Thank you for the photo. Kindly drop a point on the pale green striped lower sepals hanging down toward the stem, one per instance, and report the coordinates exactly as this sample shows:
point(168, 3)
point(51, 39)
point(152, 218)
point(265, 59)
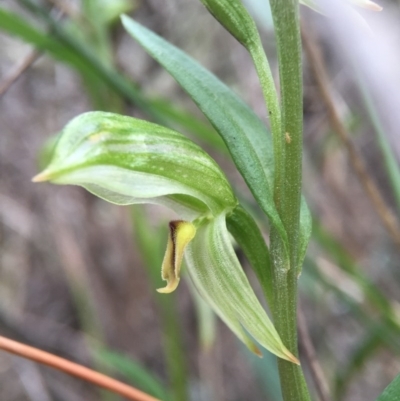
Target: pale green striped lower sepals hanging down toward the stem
point(220, 280)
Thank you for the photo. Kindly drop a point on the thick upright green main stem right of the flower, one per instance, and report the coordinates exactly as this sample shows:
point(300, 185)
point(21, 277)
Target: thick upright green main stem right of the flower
point(287, 30)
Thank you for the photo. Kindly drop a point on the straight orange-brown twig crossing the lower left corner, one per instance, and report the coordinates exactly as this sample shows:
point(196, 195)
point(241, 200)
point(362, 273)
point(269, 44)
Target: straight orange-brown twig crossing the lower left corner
point(74, 369)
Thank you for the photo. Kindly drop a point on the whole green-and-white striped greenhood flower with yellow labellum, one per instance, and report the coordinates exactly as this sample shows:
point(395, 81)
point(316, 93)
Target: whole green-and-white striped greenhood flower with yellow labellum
point(125, 161)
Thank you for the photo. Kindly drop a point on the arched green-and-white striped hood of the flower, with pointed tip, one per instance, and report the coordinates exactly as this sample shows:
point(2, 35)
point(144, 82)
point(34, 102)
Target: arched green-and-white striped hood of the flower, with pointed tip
point(125, 160)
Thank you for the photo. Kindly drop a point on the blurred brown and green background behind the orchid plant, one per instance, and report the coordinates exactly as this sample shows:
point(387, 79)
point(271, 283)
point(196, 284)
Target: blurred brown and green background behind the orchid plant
point(78, 275)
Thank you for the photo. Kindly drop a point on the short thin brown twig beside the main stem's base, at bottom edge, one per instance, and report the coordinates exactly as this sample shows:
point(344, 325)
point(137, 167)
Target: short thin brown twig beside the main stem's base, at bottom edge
point(316, 371)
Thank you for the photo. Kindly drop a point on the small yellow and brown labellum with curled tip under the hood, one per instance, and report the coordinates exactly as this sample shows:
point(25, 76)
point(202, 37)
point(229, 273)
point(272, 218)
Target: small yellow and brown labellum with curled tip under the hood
point(180, 234)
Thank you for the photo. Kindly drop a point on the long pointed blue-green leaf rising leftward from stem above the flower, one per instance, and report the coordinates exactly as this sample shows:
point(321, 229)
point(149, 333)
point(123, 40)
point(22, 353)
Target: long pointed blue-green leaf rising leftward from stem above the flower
point(242, 131)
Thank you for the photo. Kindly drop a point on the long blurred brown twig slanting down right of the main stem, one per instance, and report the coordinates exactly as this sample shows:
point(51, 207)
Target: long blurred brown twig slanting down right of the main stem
point(321, 77)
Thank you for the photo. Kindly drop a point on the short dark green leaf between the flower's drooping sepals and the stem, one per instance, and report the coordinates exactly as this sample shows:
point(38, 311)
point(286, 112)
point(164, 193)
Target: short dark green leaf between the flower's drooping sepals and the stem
point(247, 234)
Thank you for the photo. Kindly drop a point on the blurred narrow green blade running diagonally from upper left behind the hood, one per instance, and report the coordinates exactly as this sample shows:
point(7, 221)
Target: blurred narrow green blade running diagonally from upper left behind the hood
point(63, 47)
